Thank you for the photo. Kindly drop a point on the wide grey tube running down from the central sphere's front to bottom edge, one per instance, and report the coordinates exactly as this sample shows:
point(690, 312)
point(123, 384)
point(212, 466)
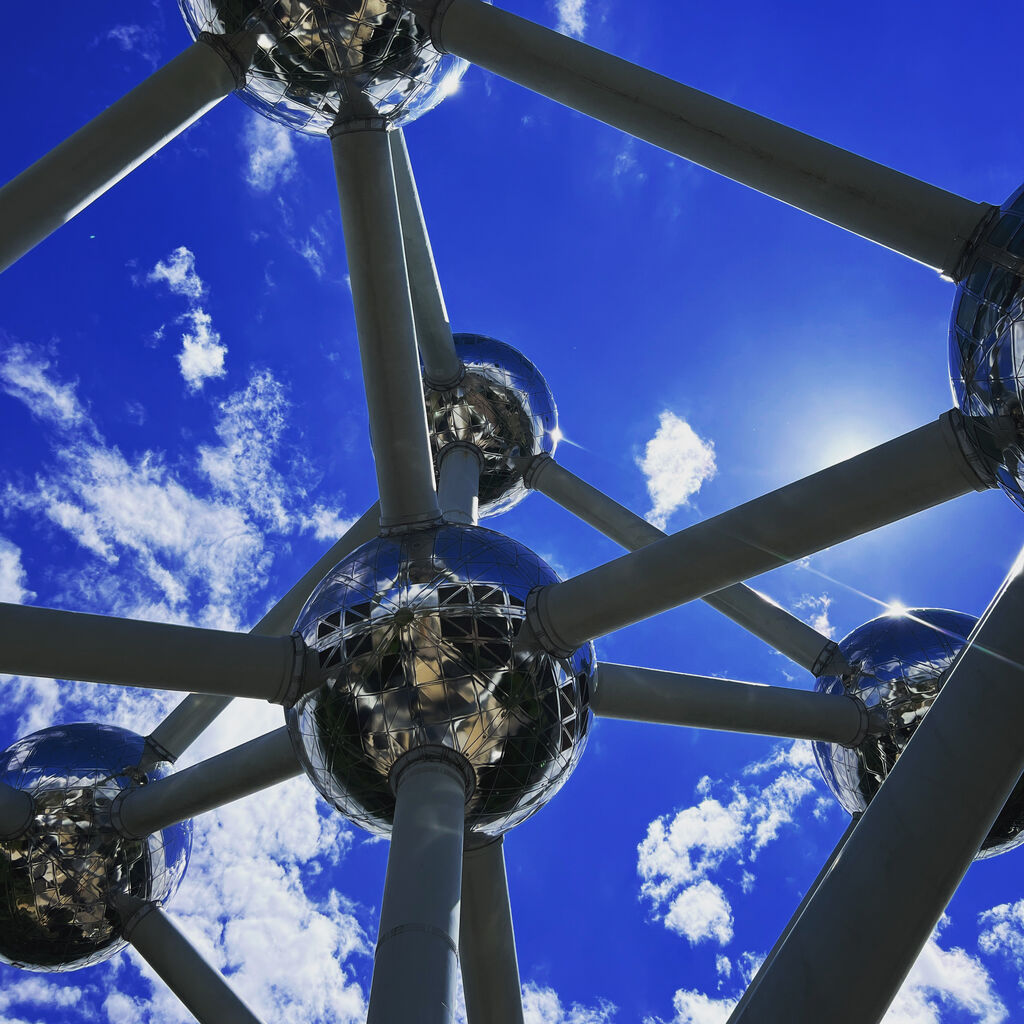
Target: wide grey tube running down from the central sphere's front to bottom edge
point(417, 961)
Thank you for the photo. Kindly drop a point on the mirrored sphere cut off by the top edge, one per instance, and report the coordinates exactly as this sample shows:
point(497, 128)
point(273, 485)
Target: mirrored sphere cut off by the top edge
point(320, 61)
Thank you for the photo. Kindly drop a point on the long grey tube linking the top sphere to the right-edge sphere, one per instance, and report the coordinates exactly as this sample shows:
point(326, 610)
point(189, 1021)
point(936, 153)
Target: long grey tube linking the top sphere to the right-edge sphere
point(912, 218)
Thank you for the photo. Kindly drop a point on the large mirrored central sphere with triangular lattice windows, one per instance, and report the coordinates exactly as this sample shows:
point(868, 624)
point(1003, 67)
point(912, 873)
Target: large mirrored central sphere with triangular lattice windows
point(415, 634)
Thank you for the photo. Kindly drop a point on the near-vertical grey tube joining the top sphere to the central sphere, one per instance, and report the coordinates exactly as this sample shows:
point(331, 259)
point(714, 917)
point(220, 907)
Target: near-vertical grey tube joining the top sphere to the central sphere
point(385, 324)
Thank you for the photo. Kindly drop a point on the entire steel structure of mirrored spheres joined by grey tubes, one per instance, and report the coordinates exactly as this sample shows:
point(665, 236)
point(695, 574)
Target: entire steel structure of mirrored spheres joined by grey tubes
point(440, 680)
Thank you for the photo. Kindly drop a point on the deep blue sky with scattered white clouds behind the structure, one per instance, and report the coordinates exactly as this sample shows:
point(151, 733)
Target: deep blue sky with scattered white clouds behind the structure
point(661, 303)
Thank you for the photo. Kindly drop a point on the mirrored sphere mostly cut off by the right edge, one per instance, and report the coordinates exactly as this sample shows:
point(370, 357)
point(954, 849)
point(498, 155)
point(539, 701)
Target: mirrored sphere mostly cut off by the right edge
point(987, 348)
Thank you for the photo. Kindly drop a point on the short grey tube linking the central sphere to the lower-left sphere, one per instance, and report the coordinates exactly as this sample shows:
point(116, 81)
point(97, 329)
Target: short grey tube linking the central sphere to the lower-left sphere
point(248, 769)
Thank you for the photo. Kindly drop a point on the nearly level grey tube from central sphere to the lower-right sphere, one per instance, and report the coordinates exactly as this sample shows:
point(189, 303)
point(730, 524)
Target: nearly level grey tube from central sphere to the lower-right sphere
point(708, 703)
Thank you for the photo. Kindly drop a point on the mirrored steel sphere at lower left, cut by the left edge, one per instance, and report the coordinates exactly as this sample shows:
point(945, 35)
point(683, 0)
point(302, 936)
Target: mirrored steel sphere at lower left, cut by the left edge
point(62, 880)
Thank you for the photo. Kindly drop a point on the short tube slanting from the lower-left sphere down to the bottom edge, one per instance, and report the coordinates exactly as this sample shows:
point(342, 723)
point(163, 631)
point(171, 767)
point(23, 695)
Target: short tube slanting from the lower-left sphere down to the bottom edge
point(198, 986)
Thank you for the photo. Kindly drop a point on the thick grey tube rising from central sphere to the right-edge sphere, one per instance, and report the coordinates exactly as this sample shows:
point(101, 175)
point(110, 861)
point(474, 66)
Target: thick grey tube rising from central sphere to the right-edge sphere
point(913, 473)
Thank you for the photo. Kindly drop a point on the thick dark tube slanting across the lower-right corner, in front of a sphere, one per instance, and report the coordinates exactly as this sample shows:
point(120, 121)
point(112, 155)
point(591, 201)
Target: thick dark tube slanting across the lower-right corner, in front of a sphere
point(959, 770)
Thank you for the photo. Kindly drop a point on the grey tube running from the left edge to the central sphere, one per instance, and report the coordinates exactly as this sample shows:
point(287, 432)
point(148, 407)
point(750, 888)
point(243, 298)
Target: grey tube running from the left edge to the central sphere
point(131, 653)
